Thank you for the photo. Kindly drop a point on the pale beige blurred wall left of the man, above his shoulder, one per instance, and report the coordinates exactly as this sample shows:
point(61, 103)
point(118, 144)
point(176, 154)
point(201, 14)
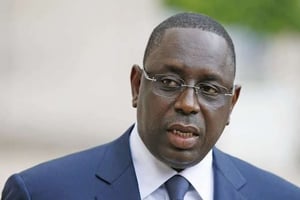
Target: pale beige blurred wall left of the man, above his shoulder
point(64, 74)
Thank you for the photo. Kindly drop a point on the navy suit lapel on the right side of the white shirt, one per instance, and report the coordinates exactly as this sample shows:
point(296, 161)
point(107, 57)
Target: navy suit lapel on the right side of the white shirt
point(227, 178)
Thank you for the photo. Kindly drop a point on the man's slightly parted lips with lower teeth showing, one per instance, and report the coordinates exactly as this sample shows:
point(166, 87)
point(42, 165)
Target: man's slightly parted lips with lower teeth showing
point(183, 136)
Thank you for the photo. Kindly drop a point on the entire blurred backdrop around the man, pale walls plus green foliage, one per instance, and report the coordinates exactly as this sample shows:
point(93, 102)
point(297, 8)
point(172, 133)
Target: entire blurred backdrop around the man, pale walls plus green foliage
point(65, 65)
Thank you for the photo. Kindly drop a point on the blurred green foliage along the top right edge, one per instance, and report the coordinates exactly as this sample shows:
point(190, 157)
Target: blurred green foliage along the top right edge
point(268, 16)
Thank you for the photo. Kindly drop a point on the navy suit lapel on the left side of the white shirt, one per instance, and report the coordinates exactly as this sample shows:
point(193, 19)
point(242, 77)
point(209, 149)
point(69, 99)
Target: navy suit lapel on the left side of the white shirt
point(117, 173)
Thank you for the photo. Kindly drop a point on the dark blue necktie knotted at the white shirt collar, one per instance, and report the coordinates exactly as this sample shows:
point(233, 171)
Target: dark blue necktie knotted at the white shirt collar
point(177, 186)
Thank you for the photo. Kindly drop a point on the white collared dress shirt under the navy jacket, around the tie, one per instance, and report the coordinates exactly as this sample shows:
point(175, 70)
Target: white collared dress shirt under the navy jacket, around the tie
point(152, 174)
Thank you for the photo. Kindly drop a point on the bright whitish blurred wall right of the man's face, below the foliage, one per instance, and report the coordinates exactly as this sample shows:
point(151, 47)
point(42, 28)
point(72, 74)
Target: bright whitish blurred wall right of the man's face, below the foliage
point(265, 124)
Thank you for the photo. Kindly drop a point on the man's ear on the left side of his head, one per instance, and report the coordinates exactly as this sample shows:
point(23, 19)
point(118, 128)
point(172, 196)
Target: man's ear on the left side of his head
point(135, 79)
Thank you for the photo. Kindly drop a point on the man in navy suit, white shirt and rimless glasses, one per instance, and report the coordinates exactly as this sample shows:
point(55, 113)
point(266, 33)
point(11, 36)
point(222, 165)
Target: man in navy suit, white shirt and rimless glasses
point(184, 95)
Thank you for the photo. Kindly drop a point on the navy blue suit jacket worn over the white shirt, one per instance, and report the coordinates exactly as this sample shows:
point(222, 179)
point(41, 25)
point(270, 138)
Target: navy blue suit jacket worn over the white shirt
point(107, 173)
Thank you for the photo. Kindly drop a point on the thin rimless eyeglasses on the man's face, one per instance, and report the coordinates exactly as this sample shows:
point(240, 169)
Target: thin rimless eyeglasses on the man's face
point(171, 86)
